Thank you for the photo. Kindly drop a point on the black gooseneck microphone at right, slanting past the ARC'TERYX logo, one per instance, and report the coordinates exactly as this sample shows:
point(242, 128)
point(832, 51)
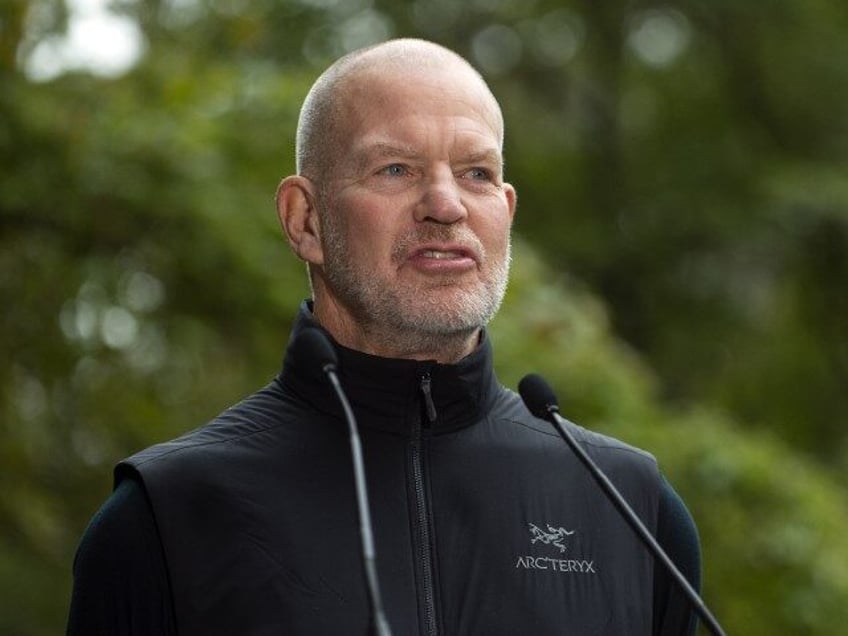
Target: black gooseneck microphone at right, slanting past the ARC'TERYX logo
point(541, 402)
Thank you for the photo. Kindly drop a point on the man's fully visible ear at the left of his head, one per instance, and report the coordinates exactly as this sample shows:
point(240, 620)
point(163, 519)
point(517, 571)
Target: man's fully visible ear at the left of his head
point(298, 216)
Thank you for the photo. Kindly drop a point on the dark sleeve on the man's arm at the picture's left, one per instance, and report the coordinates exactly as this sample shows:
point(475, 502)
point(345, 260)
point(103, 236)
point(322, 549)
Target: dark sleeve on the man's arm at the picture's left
point(121, 585)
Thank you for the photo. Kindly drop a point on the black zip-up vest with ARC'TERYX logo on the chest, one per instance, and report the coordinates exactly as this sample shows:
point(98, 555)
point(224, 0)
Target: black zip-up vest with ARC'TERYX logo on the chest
point(484, 521)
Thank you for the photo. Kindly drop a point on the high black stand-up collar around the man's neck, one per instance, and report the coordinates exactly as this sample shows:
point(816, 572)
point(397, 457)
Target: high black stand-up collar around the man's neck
point(390, 393)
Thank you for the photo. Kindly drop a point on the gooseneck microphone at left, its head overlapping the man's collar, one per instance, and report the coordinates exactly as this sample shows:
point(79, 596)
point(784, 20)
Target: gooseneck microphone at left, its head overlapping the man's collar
point(314, 346)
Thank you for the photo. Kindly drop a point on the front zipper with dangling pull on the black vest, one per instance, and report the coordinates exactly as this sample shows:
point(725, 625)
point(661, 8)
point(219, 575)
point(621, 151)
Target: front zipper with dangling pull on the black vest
point(425, 552)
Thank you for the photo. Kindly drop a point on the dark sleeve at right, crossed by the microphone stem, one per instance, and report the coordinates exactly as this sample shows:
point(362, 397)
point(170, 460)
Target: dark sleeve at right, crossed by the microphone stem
point(678, 536)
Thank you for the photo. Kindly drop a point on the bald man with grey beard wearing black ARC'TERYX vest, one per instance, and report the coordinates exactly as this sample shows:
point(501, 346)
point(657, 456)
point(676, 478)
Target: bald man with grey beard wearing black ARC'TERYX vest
point(484, 522)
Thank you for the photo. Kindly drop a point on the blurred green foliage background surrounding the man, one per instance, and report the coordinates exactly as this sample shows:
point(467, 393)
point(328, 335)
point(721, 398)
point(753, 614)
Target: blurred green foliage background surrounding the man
point(681, 260)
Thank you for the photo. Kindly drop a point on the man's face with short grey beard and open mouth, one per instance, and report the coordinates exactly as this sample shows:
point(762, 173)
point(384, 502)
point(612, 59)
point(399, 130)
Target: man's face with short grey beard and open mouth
point(415, 217)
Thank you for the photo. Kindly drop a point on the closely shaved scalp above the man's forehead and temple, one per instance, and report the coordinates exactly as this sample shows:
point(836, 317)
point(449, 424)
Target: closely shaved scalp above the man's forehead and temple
point(320, 130)
